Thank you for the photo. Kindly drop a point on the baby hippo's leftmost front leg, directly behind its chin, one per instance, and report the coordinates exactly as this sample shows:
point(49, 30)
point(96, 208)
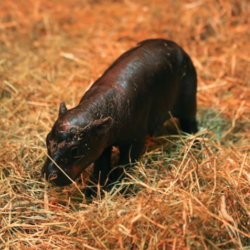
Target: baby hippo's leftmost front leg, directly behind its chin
point(102, 167)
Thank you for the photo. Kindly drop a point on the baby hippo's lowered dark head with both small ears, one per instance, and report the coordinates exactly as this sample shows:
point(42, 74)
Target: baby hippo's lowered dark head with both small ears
point(75, 141)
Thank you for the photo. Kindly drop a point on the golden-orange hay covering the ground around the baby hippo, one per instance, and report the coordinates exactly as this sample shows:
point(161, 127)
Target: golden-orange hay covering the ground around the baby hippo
point(182, 198)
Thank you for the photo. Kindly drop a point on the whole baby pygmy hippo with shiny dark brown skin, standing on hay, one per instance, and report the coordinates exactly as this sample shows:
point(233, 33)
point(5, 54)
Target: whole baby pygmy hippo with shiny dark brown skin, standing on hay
point(130, 100)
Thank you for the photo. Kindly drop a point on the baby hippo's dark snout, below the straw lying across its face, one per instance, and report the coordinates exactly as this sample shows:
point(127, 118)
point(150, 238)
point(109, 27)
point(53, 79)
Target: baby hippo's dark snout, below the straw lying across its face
point(53, 174)
